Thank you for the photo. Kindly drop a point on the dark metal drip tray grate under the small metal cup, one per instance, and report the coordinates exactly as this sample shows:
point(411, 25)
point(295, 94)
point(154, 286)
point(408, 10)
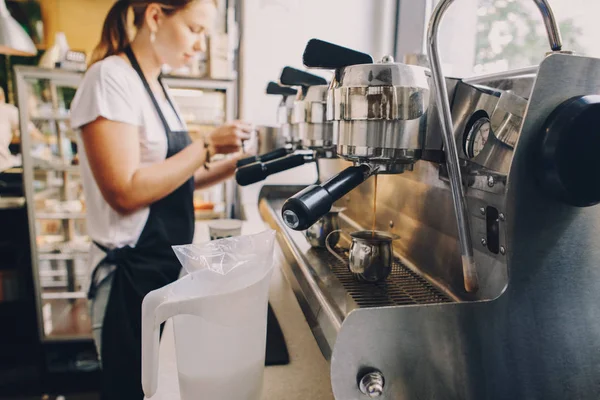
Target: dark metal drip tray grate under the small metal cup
point(402, 286)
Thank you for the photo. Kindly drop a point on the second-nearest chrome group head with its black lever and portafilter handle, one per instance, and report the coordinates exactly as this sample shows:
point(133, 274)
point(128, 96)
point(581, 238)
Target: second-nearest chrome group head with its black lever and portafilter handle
point(310, 134)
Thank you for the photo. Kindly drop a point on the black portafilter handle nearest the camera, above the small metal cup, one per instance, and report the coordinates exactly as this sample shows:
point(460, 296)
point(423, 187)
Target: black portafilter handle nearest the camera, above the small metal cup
point(310, 204)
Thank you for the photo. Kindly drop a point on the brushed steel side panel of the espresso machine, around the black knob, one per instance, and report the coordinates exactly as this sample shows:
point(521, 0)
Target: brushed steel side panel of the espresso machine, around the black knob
point(540, 338)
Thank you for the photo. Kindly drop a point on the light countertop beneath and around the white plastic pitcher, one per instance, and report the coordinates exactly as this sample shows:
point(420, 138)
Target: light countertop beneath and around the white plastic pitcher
point(307, 374)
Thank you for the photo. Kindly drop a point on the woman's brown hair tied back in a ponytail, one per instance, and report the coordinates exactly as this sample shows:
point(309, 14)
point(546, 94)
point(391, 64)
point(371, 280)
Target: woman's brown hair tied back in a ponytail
point(115, 34)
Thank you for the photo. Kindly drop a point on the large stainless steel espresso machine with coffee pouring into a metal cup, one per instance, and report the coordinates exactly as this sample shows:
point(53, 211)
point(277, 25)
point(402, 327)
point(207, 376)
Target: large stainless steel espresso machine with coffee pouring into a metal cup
point(495, 286)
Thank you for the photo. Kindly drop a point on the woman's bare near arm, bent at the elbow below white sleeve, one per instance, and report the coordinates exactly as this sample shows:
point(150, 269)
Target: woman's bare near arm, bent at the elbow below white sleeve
point(113, 152)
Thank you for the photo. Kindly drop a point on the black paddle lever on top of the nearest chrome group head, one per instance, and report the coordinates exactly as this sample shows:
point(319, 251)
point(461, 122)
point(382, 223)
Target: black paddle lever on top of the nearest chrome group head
point(325, 55)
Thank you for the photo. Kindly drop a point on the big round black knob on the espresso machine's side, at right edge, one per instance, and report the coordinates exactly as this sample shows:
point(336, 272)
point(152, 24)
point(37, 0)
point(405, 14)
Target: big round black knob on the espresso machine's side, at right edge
point(567, 164)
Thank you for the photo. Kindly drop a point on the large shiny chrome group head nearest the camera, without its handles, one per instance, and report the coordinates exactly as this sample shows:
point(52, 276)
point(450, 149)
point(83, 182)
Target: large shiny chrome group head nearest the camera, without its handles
point(378, 108)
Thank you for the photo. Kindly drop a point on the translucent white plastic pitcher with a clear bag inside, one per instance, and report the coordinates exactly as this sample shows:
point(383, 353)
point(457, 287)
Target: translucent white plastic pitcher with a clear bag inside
point(220, 319)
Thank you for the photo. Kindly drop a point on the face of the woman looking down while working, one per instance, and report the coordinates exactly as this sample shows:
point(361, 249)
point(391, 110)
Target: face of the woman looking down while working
point(183, 34)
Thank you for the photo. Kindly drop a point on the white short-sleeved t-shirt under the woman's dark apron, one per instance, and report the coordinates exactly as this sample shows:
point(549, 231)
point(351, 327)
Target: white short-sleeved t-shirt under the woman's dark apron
point(112, 89)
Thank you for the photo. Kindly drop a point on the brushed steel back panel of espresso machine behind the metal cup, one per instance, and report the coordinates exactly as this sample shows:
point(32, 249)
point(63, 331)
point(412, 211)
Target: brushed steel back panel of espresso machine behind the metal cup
point(419, 205)
